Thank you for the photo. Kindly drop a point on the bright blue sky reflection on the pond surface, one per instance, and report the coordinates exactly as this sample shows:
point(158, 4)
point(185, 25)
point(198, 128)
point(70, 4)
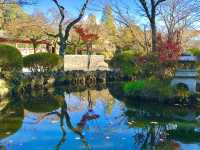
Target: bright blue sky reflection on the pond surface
point(110, 131)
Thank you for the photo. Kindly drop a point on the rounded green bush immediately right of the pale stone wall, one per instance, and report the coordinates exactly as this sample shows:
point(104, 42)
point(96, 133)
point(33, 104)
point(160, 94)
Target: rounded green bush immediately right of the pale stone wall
point(126, 63)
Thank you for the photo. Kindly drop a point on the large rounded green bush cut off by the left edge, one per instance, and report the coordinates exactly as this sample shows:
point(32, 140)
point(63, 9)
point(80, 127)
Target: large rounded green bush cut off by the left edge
point(11, 61)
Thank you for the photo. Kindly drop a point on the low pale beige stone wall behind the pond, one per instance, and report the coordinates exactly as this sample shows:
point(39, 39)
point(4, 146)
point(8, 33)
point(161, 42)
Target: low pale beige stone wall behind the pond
point(83, 62)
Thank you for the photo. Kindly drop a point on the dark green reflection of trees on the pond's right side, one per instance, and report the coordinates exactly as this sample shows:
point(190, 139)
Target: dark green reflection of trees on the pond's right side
point(160, 127)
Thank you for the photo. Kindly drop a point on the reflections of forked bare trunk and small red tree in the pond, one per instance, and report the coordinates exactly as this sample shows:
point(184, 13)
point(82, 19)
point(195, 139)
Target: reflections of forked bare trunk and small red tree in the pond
point(64, 118)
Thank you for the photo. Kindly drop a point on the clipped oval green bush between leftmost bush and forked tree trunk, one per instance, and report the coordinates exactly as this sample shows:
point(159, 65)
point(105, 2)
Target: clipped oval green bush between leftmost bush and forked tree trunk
point(42, 62)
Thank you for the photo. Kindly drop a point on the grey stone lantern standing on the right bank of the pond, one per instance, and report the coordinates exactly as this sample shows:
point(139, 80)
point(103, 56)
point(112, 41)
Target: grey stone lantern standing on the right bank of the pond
point(186, 74)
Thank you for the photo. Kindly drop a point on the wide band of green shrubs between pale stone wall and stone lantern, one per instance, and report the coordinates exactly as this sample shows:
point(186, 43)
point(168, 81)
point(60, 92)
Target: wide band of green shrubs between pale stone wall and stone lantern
point(135, 64)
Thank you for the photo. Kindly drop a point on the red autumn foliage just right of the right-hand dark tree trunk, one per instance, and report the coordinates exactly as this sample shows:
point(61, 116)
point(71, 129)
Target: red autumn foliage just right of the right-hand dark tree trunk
point(168, 50)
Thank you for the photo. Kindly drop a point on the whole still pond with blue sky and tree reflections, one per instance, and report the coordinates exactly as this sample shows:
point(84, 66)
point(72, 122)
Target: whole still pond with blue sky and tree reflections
point(95, 119)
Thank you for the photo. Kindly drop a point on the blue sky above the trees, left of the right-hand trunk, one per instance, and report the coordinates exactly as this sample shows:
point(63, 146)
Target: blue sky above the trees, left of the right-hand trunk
point(73, 6)
